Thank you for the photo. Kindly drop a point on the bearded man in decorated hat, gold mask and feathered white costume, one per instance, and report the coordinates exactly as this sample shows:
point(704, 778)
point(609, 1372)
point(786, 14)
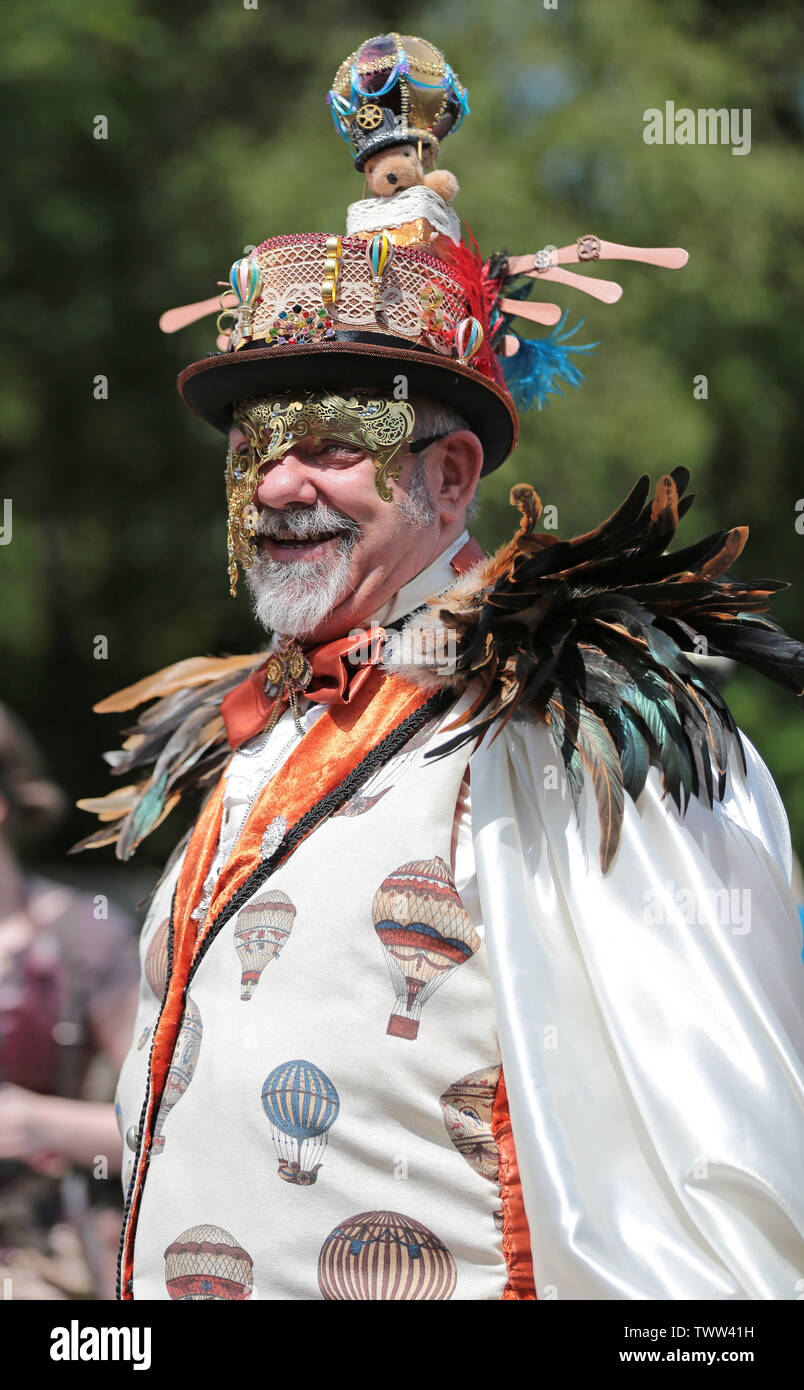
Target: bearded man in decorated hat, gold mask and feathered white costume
point(476, 975)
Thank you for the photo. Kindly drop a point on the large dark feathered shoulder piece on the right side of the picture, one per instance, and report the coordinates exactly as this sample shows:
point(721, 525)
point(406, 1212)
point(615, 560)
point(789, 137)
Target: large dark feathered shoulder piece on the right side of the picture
point(599, 637)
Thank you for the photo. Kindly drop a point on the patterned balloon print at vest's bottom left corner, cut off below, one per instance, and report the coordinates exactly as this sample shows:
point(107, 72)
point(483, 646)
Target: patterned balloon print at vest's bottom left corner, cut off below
point(208, 1264)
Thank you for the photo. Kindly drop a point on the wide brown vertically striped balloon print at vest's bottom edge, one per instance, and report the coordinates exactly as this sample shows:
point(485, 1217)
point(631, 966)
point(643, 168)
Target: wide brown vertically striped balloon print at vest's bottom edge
point(386, 1257)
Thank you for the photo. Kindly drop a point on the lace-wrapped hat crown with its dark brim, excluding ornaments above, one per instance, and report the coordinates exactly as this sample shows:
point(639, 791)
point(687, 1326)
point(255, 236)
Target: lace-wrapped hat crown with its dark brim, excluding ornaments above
point(333, 312)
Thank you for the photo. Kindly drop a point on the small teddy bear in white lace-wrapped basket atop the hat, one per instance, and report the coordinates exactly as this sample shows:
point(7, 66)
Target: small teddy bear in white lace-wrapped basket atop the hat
point(414, 206)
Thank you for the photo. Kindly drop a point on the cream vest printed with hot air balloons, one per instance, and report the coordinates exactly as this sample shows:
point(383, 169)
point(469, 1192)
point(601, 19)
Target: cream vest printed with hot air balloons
point(326, 1128)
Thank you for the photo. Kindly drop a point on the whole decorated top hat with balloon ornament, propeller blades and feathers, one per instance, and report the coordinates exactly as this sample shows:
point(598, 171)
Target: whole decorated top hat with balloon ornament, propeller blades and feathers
point(333, 312)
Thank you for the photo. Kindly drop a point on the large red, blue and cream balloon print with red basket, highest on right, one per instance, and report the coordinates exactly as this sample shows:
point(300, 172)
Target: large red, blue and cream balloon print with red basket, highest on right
point(426, 935)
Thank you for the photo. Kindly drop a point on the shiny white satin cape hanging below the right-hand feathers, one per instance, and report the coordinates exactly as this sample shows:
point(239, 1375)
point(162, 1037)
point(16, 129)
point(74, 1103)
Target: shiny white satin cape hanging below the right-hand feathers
point(648, 1031)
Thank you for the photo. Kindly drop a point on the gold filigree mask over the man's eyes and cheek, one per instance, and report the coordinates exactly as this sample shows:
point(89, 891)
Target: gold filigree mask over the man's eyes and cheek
point(272, 427)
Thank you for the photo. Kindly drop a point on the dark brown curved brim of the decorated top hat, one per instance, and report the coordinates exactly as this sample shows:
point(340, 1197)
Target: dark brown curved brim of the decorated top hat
point(211, 387)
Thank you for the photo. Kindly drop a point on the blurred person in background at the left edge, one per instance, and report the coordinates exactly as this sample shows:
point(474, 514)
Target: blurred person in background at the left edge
point(67, 1003)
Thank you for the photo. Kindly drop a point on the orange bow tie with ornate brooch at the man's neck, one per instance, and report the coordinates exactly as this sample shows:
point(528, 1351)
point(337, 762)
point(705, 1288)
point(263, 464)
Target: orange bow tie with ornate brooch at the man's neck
point(326, 675)
